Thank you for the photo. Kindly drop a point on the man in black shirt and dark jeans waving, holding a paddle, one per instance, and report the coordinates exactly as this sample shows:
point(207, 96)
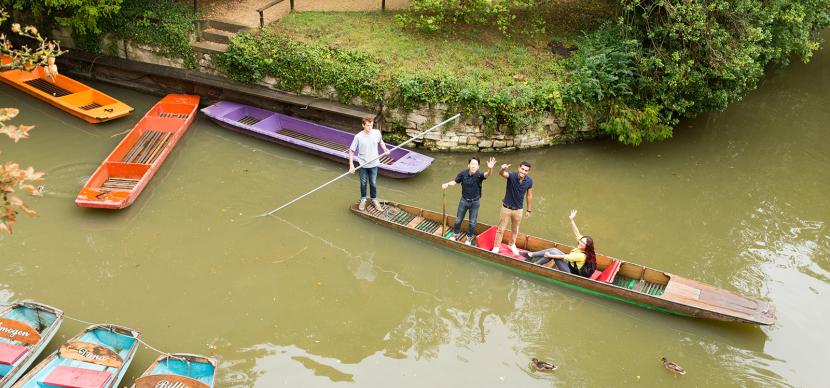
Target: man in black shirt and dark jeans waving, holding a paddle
point(470, 179)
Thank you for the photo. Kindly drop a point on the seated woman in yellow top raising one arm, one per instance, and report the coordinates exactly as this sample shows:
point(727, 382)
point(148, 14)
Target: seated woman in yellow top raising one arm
point(581, 260)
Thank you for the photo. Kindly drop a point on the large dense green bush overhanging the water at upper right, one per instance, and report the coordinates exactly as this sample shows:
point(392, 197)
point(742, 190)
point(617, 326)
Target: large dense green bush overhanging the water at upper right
point(685, 58)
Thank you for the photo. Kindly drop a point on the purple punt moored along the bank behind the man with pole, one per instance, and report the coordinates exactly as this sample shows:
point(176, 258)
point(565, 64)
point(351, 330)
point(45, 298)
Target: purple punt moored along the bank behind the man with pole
point(314, 138)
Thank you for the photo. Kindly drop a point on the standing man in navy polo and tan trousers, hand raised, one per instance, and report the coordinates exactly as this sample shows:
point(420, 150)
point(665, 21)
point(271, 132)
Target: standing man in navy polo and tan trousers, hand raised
point(519, 187)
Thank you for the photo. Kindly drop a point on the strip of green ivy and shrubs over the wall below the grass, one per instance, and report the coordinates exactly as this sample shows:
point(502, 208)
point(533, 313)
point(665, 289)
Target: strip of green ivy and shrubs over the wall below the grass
point(294, 65)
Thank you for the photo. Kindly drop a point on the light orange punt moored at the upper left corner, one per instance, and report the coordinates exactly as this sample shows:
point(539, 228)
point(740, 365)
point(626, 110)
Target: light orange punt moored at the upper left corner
point(66, 94)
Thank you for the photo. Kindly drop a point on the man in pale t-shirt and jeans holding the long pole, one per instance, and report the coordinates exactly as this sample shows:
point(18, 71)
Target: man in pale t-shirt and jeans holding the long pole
point(366, 143)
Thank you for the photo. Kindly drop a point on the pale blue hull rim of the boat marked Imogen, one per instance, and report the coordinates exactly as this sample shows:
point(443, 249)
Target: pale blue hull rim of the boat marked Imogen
point(46, 335)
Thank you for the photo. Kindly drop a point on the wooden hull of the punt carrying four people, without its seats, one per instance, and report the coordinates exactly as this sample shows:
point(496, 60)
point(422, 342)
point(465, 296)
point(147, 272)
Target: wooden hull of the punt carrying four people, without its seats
point(677, 296)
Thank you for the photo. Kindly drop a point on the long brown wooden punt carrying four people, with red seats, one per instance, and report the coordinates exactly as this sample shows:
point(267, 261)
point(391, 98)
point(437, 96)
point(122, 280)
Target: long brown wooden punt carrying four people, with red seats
point(614, 278)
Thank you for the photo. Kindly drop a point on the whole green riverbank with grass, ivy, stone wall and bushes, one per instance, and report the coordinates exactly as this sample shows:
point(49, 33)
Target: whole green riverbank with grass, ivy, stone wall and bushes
point(610, 78)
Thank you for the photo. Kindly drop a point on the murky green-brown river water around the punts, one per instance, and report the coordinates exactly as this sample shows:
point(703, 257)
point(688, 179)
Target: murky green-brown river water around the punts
point(316, 296)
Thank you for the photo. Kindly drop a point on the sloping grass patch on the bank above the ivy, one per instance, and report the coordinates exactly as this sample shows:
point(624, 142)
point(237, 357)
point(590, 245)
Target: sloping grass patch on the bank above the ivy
point(467, 51)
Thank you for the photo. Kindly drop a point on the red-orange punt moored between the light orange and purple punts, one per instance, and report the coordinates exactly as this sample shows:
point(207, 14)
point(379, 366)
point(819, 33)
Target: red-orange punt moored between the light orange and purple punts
point(119, 180)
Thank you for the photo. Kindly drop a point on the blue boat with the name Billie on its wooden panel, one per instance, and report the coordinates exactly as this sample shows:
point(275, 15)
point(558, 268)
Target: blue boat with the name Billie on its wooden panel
point(180, 370)
